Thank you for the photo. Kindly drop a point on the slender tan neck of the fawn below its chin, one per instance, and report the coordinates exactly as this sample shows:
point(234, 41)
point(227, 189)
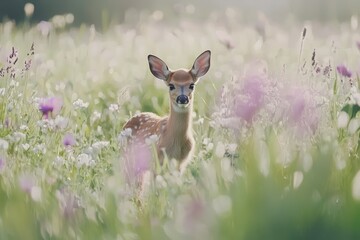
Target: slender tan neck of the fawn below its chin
point(179, 123)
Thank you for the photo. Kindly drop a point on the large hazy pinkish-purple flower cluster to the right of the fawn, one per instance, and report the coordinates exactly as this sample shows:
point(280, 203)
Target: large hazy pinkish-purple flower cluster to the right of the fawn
point(255, 96)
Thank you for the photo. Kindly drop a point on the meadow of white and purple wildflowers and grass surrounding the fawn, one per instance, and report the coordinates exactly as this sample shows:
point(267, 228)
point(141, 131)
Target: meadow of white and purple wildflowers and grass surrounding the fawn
point(275, 122)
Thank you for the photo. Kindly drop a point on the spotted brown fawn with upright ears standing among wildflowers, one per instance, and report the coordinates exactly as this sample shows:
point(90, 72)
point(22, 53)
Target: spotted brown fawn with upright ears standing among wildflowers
point(174, 132)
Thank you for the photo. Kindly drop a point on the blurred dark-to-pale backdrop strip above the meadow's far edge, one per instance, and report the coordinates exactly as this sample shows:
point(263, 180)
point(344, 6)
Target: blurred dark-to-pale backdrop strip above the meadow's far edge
point(115, 11)
